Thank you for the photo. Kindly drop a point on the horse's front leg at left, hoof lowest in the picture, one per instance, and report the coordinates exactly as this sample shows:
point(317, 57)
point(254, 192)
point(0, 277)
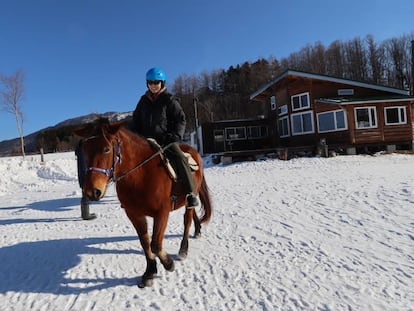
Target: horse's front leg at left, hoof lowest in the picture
point(140, 225)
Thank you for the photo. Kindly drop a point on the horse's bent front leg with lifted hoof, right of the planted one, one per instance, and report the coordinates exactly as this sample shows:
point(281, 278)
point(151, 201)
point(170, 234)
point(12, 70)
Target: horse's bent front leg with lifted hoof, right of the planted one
point(160, 224)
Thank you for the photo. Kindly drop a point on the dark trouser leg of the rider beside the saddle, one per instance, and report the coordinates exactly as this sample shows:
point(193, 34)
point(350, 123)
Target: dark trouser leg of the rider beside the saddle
point(180, 162)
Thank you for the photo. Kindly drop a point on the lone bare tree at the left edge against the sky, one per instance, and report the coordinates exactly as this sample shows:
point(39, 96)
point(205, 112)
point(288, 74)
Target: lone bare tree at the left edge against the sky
point(11, 95)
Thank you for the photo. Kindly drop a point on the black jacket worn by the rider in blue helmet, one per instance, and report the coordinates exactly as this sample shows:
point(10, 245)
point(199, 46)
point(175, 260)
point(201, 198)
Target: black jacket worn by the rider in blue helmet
point(161, 118)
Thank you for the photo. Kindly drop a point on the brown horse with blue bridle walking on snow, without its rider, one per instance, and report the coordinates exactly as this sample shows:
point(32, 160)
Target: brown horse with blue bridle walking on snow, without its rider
point(143, 184)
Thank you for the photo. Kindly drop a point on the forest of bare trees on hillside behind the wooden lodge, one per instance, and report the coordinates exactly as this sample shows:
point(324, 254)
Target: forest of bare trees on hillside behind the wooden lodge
point(224, 94)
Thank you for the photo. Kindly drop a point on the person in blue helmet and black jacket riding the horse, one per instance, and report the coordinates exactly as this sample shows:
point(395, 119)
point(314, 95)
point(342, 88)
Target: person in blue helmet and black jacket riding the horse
point(159, 115)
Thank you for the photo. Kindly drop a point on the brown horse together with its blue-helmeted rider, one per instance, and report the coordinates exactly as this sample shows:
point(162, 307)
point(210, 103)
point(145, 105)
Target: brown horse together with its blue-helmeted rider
point(143, 183)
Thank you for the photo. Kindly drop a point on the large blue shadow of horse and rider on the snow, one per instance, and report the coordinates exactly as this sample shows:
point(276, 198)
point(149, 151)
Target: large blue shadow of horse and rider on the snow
point(40, 266)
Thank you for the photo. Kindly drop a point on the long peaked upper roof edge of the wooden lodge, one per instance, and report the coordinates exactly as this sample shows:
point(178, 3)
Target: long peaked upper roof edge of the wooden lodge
point(329, 79)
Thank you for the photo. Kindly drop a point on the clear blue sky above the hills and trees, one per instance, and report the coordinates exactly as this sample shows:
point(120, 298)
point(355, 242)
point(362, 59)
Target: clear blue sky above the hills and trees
point(86, 56)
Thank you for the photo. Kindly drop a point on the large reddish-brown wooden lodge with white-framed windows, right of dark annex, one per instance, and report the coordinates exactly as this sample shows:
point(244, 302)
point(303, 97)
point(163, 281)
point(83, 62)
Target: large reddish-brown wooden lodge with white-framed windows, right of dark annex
point(310, 110)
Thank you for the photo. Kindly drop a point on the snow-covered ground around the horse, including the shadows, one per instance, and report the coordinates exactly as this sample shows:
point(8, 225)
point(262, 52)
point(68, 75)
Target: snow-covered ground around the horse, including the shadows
point(304, 234)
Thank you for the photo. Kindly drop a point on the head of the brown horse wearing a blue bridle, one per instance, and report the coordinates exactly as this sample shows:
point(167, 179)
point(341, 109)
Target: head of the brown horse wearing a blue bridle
point(101, 148)
